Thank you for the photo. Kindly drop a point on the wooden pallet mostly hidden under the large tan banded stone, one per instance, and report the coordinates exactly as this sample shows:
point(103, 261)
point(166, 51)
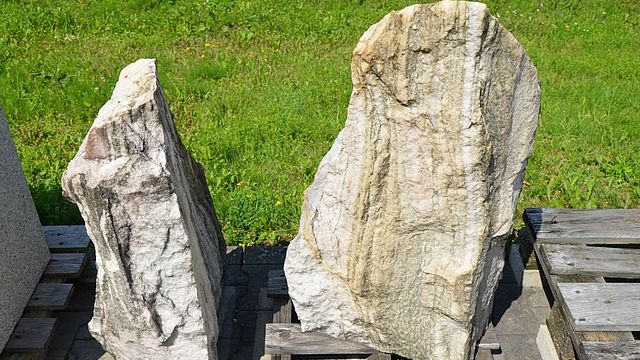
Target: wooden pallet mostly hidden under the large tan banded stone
point(284, 338)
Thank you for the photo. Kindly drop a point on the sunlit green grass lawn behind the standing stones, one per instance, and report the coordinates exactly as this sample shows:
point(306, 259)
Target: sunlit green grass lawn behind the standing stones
point(260, 89)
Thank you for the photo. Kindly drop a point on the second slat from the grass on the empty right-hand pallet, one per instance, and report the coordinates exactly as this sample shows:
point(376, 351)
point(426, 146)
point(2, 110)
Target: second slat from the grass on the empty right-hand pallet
point(591, 260)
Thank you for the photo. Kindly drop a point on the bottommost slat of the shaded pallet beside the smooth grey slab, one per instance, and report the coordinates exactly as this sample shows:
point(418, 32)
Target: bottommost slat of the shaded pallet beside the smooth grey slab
point(31, 335)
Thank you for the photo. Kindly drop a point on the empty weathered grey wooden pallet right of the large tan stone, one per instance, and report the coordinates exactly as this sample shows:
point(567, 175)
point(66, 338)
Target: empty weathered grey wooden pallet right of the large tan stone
point(591, 263)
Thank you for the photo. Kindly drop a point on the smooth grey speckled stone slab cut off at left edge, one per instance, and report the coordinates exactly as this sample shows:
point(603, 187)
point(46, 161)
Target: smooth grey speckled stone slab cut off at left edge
point(23, 249)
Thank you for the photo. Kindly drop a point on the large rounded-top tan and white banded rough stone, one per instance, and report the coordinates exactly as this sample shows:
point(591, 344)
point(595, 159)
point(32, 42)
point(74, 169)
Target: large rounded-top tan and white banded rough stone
point(402, 231)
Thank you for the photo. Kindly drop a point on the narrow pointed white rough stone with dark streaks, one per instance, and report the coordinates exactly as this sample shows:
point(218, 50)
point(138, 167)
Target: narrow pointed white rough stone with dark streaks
point(149, 213)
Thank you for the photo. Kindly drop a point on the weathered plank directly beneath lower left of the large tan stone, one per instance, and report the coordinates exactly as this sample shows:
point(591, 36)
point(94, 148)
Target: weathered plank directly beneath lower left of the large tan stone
point(288, 339)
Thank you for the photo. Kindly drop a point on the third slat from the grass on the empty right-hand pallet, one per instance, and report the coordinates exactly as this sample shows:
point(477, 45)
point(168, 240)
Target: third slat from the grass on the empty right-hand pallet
point(603, 307)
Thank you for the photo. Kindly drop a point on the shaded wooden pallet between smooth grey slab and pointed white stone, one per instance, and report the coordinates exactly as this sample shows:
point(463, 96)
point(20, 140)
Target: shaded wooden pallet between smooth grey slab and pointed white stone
point(33, 333)
